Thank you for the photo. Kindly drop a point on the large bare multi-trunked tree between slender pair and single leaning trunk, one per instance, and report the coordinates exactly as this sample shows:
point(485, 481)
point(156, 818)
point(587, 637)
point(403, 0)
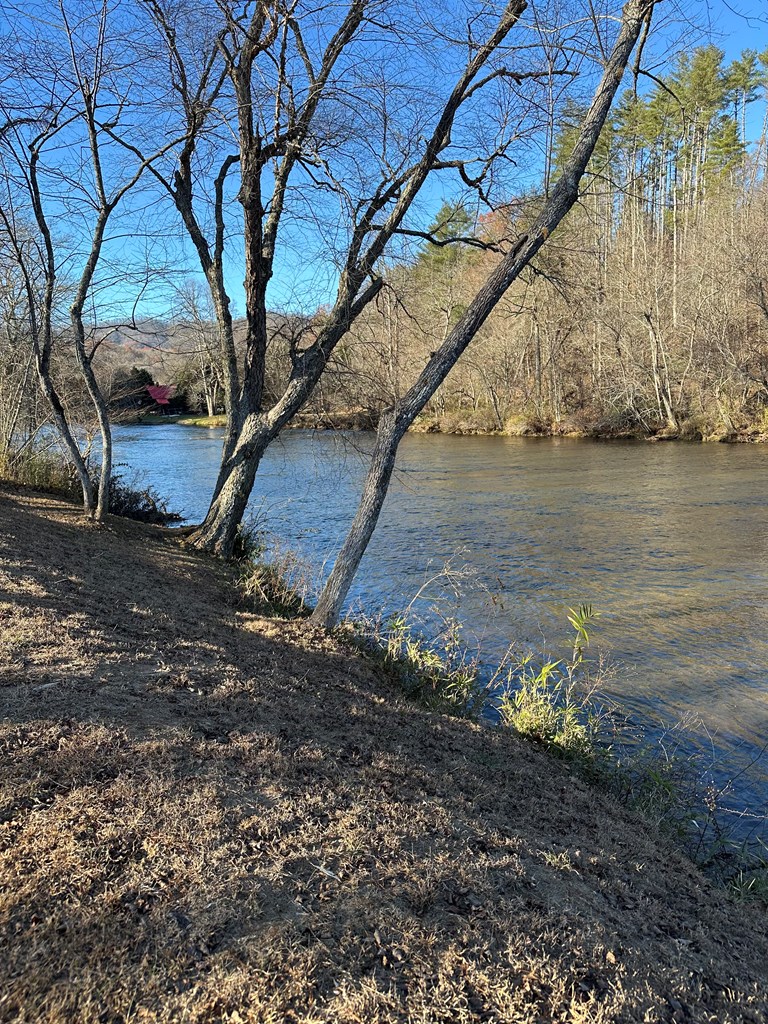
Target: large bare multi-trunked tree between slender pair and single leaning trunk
point(318, 117)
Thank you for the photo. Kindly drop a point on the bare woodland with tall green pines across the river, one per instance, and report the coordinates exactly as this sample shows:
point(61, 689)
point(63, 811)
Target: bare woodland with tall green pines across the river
point(649, 310)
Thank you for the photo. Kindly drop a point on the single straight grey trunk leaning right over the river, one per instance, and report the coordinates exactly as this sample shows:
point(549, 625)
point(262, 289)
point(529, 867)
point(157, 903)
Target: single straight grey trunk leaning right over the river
point(395, 424)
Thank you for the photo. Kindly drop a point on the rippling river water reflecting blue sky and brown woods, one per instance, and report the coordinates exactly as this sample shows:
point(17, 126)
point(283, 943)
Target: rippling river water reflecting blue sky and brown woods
point(670, 542)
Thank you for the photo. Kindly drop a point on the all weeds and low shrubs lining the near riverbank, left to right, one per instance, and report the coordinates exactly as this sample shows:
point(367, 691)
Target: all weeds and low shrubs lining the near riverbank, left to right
point(559, 704)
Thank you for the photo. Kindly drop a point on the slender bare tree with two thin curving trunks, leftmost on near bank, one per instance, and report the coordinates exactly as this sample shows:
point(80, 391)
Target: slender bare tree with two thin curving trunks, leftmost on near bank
point(68, 96)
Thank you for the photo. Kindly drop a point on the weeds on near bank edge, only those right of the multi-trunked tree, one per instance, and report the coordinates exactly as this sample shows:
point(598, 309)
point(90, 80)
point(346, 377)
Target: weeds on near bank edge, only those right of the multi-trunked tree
point(559, 705)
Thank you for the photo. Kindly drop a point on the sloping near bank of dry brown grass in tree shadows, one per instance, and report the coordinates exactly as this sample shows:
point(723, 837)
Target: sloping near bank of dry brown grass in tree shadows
point(206, 817)
